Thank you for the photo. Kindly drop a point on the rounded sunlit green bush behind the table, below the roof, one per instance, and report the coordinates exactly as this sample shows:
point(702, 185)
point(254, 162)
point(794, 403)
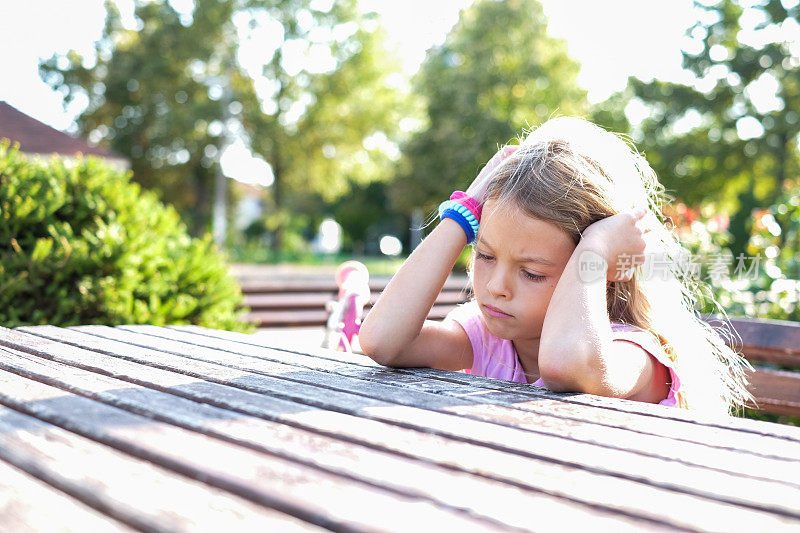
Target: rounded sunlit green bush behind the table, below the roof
point(80, 244)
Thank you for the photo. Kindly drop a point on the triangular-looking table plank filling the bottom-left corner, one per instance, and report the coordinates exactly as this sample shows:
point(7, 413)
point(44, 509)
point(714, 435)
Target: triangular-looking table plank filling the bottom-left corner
point(29, 505)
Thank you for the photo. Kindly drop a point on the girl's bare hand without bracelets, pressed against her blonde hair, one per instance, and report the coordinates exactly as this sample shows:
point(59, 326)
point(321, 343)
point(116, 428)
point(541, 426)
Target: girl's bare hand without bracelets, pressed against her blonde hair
point(620, 240)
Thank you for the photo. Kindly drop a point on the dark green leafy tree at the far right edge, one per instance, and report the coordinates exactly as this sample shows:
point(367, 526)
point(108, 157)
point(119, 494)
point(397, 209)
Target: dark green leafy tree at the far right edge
point(732, 135)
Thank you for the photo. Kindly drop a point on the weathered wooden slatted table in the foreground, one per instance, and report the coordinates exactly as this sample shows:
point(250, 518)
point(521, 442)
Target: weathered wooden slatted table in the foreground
point(185, 428)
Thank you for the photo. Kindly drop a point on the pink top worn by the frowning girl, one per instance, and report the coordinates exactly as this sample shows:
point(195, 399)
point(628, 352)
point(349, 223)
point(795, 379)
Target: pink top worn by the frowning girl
point(496, 358)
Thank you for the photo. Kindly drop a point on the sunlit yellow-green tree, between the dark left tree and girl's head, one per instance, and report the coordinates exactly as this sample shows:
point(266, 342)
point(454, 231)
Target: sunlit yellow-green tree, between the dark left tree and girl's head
point(346, 136)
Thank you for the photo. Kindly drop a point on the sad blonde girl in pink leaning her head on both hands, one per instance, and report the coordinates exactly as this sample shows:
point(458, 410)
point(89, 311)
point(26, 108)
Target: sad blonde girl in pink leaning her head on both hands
point(576, 281)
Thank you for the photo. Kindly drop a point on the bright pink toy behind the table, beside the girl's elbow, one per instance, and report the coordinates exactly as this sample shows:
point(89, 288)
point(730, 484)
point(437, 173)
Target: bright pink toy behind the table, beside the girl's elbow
point(344, 320)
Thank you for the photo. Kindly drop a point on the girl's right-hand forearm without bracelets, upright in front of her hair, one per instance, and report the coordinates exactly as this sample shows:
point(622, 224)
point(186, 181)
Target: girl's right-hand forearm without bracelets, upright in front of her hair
point(576, 332)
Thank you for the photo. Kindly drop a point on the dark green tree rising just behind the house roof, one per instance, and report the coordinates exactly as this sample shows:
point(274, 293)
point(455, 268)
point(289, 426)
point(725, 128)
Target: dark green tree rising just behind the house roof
point(149, 97)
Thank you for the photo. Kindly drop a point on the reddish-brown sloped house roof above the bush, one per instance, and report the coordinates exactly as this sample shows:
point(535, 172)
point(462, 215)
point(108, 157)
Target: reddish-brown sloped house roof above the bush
point(35, 137)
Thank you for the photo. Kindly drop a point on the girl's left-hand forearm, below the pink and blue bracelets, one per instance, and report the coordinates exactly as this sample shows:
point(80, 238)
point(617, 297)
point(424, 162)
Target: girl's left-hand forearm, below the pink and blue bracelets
point(397, 318)
